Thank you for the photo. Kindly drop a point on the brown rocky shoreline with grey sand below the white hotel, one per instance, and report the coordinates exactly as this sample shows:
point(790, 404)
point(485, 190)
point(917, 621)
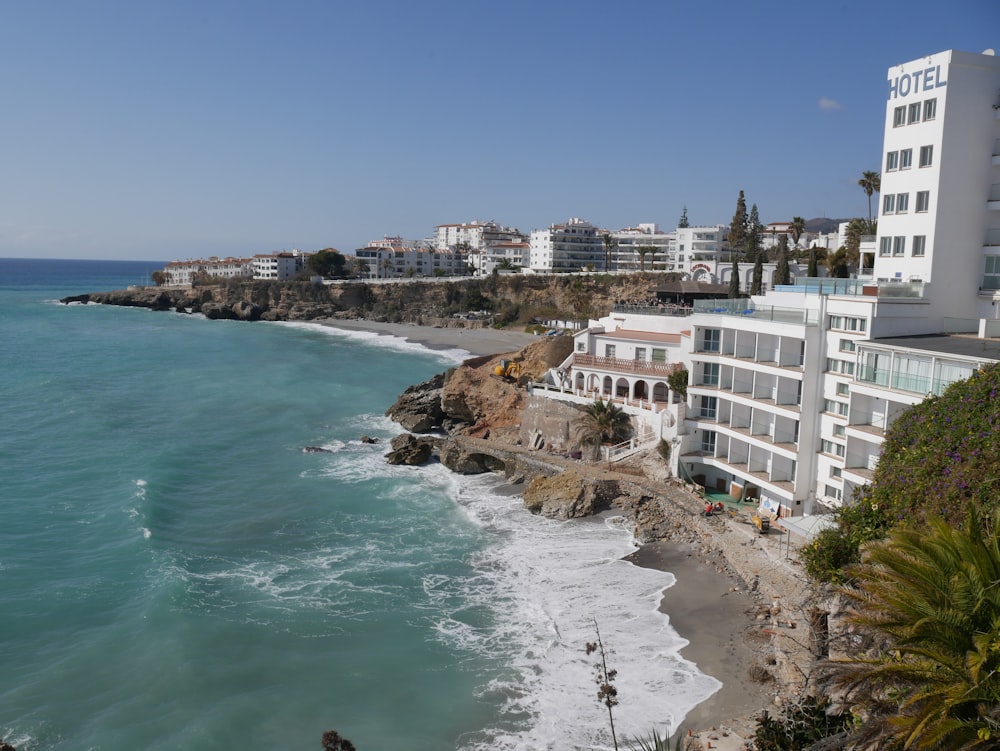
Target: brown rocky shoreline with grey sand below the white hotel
point(473, 423)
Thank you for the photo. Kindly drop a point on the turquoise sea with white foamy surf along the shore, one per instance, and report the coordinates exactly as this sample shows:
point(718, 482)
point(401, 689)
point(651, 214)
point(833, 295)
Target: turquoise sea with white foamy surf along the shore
point(176, 572)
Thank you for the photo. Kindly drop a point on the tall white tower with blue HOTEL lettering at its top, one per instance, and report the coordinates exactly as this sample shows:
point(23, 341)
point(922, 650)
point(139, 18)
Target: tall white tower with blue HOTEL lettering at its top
point(939, 219)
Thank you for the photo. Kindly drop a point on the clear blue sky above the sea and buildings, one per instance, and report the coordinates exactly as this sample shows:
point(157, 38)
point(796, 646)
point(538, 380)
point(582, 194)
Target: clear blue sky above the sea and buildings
point(184, 129)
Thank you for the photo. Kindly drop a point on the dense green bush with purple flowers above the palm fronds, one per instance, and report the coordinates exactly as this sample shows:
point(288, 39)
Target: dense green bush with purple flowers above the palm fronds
point(937, 458)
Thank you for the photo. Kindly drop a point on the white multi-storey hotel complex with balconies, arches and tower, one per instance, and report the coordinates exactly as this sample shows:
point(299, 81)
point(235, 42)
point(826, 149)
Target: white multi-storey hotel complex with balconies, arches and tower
point(790, 393)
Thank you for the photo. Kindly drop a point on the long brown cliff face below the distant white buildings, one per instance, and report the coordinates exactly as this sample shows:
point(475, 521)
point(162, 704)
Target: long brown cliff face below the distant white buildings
point(509, 299)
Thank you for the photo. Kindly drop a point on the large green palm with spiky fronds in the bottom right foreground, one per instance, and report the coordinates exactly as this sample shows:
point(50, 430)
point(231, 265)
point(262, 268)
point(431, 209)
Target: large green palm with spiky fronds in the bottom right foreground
point(931, 597)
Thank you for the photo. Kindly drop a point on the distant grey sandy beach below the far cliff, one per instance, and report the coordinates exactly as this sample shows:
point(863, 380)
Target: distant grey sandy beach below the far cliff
point(482, 341)
